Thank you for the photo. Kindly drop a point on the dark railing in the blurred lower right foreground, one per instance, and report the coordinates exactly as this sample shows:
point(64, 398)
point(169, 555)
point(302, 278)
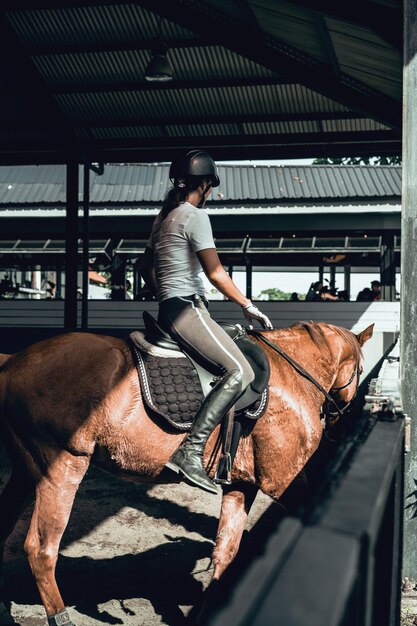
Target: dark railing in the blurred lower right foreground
point(340, 565)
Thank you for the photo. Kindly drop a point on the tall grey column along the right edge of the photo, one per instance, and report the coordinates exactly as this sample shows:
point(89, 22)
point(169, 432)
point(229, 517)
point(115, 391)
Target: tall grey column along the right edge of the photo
point(409, 279)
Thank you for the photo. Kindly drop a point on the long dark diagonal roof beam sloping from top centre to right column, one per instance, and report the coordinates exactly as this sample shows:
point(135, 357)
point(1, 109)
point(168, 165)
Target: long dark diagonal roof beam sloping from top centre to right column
point(278, 56)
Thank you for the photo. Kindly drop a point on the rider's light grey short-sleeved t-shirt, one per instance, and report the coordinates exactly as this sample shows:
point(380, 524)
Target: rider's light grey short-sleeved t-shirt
point(174, 241)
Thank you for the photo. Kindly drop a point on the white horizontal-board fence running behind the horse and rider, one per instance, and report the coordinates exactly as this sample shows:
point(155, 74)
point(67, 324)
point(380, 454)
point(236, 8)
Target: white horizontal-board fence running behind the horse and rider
point(106, 314)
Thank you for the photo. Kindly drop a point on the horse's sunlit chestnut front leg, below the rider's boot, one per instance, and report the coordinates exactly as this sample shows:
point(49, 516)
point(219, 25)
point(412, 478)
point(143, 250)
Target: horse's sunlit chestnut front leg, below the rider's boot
point(236, 504)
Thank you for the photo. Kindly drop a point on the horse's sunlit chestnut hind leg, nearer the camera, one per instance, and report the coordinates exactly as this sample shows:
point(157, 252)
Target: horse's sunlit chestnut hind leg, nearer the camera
point(55, 495)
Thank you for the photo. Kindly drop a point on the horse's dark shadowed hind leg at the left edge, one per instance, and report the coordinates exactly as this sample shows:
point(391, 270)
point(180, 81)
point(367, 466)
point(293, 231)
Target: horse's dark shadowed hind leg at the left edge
point(14, 498)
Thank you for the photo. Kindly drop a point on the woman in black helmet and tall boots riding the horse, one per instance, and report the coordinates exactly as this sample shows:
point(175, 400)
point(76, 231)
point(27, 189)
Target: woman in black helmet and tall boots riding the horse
point(181, 243)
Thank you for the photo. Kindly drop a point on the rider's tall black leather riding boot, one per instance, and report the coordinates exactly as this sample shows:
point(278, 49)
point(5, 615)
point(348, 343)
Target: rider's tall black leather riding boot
point(188, 459)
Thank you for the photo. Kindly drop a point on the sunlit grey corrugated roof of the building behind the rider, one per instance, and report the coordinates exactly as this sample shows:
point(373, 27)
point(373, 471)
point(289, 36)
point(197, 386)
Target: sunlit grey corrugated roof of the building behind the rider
point(143, 183)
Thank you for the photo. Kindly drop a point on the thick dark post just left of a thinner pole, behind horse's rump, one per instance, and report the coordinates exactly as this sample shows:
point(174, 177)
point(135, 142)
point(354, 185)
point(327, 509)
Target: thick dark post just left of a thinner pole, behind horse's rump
point(71, 247)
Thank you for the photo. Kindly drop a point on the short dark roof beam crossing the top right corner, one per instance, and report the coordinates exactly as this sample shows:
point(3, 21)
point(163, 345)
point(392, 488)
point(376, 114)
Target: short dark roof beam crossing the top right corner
point(384, 21)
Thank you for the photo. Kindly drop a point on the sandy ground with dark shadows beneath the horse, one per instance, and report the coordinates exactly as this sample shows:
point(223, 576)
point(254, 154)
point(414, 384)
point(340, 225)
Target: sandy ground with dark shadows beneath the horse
point(132, 555)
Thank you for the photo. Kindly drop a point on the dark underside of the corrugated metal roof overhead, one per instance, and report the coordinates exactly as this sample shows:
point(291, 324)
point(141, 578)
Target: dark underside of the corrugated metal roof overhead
point(321, 75)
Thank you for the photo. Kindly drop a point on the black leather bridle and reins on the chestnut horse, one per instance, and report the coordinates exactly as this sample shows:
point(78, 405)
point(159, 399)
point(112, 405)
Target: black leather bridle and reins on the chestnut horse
point(329, 416)
